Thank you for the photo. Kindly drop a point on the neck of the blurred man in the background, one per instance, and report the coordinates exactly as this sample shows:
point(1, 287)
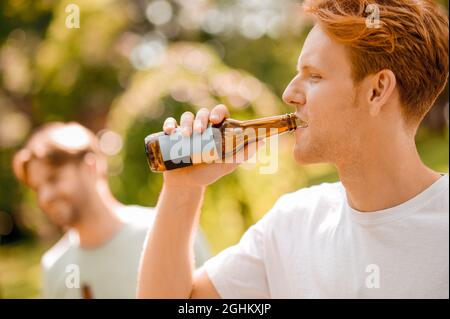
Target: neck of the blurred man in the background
point(99, 222)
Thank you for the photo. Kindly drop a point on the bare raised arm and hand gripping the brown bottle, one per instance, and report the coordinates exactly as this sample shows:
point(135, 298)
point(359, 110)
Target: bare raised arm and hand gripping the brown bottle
point(167, 265)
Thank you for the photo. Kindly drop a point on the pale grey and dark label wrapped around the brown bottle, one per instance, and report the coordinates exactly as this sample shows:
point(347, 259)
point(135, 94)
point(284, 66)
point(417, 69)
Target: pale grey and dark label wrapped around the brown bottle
point(178, 150)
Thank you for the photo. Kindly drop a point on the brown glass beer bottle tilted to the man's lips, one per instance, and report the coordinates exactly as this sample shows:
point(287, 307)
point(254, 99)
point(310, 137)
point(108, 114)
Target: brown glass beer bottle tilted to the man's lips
point(218, 141)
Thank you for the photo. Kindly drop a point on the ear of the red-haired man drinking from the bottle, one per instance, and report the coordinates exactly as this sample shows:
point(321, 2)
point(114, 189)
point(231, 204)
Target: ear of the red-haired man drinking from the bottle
point(381, 88)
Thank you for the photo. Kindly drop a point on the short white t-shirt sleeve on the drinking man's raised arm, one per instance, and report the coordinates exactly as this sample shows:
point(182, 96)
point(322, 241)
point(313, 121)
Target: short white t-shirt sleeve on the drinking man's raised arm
point(239, 271)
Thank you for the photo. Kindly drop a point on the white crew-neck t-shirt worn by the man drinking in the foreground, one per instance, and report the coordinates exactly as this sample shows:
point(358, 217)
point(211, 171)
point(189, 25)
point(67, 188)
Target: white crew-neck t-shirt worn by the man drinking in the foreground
point(312, 244)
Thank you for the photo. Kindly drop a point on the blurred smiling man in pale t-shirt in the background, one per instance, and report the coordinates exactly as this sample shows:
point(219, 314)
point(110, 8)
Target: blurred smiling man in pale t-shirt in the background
point(99, 254)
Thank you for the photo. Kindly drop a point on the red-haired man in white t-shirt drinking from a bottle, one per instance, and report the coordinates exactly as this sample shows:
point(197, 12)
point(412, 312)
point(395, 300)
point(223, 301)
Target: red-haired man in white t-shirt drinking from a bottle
point(363, 84)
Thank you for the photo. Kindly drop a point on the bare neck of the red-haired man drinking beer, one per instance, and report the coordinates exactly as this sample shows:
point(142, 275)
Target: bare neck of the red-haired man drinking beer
point(385, 177)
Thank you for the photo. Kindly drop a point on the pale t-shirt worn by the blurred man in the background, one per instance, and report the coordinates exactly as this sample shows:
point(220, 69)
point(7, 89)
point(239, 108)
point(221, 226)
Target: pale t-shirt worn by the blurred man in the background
point(110, 271)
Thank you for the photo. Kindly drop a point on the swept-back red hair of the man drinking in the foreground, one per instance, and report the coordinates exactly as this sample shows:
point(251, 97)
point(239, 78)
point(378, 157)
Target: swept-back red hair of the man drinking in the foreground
point(411, 40)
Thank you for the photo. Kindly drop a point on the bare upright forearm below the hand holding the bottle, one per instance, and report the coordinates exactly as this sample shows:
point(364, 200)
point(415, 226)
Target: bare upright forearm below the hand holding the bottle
point(167, 264)
